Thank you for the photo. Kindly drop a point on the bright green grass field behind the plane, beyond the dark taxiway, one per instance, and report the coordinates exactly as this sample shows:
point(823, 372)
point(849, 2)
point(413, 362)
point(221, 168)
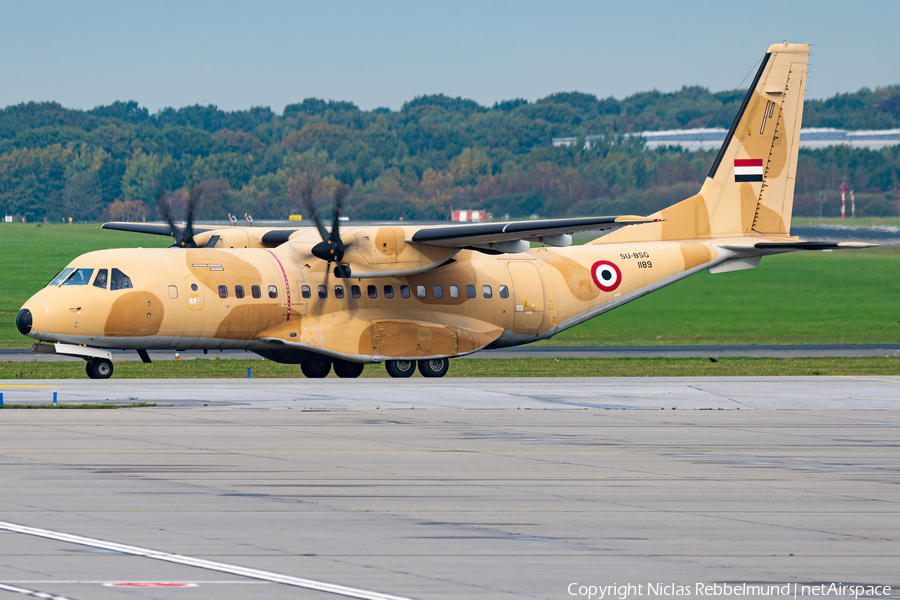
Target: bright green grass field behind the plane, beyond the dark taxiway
point(849, 297)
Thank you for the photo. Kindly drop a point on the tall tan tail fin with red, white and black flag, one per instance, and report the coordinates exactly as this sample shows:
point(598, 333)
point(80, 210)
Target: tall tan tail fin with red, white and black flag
point(750, 187)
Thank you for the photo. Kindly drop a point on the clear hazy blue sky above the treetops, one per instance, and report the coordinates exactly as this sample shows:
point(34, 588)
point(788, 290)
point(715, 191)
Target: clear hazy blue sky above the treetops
point(272, 53)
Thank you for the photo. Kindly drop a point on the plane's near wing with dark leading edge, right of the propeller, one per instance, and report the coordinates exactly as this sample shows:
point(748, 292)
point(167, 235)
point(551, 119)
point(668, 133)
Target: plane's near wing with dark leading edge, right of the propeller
point(514, 236)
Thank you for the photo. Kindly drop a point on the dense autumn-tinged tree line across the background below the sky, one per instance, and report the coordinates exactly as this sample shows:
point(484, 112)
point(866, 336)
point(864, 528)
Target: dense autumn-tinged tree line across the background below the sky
point(434, 154)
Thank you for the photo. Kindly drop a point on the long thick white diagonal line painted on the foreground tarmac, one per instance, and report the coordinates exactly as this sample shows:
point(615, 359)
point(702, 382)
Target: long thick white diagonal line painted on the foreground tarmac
point(200, 563)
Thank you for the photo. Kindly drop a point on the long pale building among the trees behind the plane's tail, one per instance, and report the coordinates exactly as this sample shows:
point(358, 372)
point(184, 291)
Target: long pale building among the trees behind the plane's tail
point(711, 139)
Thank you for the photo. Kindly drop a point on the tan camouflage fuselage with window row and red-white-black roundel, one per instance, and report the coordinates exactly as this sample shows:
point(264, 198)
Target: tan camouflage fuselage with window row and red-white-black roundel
point(285, 307)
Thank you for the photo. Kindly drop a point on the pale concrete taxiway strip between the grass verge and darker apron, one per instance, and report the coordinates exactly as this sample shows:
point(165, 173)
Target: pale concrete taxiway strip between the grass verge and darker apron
point(812, 392)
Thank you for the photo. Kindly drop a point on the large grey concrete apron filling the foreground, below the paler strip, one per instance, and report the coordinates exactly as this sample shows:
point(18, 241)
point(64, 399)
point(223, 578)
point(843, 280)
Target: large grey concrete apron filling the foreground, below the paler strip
point(446, 503)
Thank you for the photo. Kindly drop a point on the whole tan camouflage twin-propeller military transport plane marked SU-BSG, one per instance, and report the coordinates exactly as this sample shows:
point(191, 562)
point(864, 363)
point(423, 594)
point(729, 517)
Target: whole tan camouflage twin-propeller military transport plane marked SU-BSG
point(408, 295)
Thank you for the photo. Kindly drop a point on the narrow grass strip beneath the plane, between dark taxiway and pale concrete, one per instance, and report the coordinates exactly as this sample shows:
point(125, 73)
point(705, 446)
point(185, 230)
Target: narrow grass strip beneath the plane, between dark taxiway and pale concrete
point(474, 367)
